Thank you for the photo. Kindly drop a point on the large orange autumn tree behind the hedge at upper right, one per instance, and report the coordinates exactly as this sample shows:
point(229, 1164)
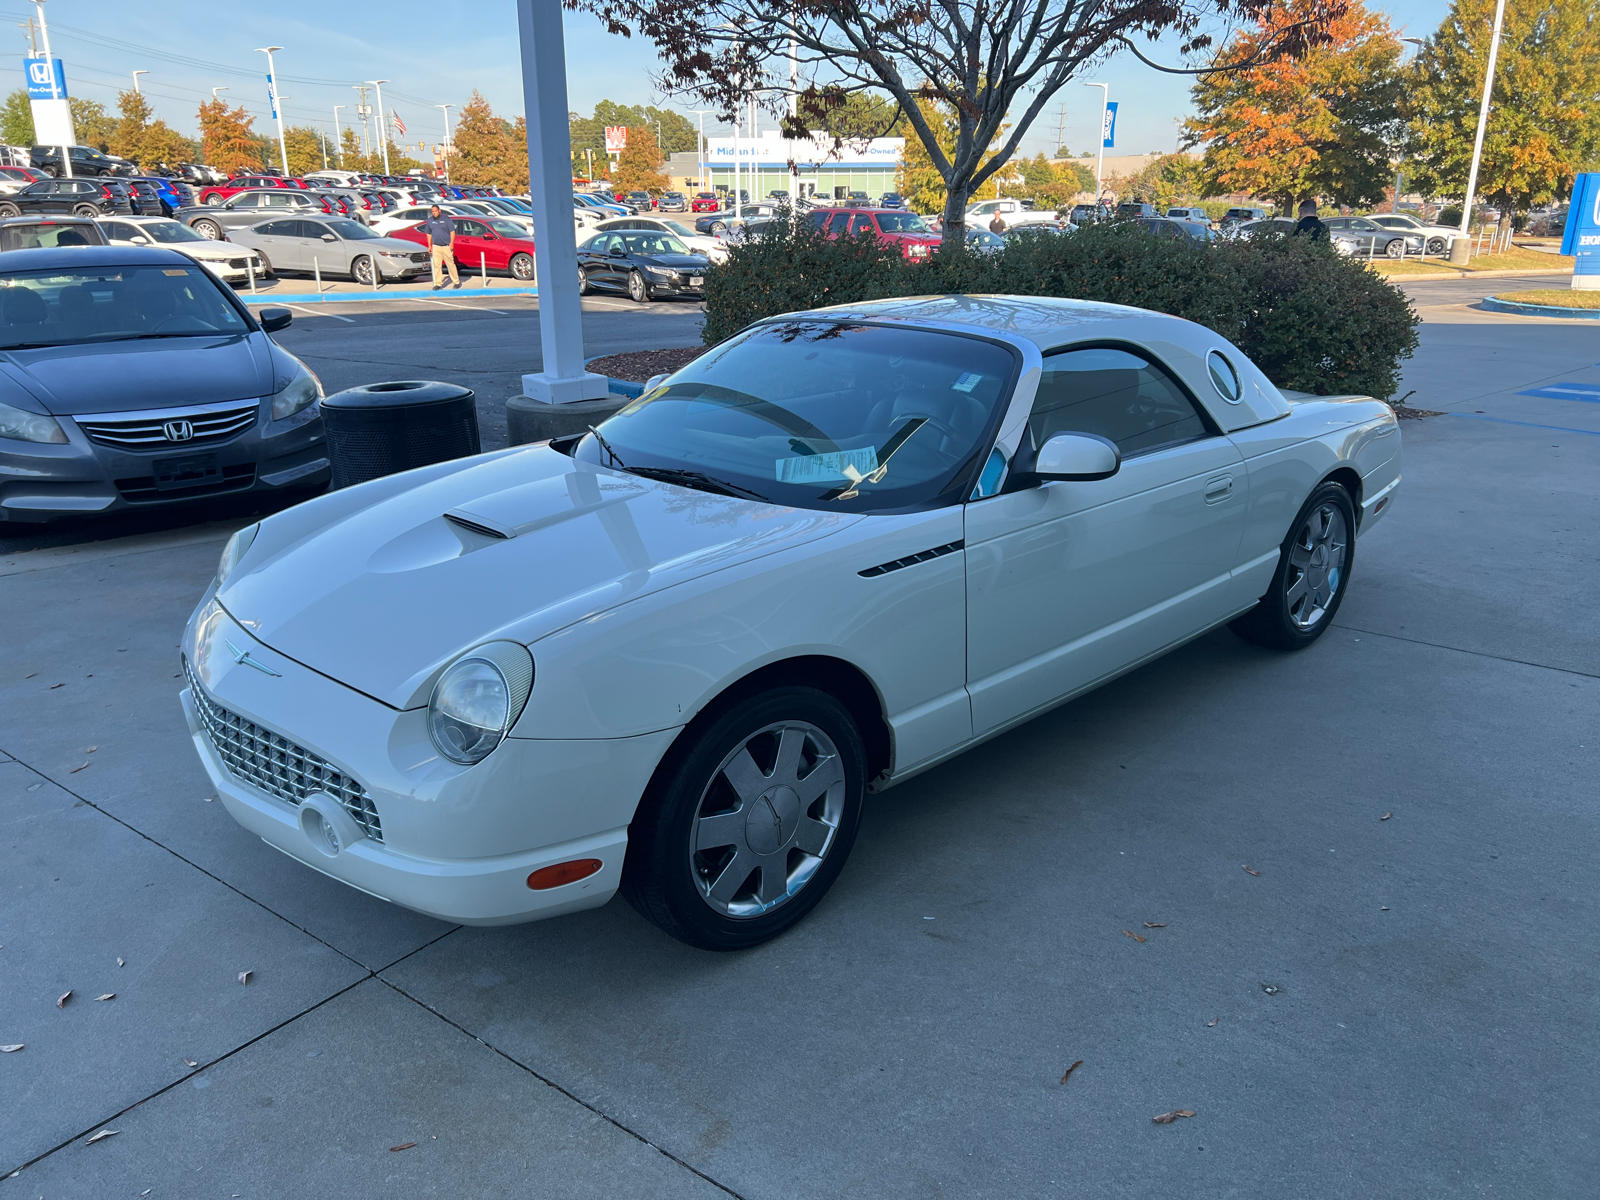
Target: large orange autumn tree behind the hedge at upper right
point(1313, 127)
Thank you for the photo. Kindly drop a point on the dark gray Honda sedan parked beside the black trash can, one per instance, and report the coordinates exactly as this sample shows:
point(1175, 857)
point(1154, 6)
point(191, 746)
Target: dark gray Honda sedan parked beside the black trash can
point(134, 378)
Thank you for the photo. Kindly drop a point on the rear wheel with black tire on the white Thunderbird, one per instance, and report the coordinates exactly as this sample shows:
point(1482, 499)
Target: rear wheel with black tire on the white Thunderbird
point(1313, 577)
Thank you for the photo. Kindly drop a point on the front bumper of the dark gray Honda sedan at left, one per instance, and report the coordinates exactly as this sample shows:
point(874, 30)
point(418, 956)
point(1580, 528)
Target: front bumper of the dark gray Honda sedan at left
point(39, 482)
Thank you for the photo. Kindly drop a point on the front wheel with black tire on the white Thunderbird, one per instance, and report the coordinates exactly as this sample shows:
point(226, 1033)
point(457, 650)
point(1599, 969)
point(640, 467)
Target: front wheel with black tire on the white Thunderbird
point(670, 882)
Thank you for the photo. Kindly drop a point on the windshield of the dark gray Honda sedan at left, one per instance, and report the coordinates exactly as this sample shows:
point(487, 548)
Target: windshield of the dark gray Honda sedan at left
point(98, 305)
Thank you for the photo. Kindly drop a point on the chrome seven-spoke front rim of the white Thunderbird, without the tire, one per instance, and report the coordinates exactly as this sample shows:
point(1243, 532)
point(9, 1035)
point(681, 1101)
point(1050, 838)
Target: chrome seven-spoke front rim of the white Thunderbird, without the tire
point(767, 820)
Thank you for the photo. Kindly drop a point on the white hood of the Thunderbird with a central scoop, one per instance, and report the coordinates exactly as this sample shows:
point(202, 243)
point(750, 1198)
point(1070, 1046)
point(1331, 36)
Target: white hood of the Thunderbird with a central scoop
point(378, 588)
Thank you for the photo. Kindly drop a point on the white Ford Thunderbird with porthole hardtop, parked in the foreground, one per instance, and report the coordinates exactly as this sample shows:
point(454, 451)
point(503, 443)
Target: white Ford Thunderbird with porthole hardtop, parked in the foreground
point(673, 655)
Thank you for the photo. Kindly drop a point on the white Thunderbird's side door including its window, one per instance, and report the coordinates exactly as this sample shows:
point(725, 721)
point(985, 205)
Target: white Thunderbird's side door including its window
point(1070, 583)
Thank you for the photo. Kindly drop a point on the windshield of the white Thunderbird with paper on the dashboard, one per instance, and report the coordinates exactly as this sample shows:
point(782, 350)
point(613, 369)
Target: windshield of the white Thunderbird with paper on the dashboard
point(820, 415)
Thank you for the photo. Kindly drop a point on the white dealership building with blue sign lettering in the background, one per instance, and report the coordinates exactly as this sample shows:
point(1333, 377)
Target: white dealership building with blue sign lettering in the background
point(764, 166)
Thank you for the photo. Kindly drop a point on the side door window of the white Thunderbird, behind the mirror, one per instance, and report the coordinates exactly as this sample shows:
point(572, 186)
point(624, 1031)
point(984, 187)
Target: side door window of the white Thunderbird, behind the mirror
point(1116, 394)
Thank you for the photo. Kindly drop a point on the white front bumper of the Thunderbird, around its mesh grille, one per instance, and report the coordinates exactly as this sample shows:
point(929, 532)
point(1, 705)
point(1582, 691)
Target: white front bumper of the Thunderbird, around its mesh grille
point(458, 844)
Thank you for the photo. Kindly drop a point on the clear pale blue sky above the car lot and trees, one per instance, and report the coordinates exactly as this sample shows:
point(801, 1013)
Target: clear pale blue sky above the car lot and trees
point(441, 50)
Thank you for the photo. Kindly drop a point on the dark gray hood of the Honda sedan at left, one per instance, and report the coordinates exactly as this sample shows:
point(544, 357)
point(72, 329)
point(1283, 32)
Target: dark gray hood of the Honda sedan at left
point(135, 375)
